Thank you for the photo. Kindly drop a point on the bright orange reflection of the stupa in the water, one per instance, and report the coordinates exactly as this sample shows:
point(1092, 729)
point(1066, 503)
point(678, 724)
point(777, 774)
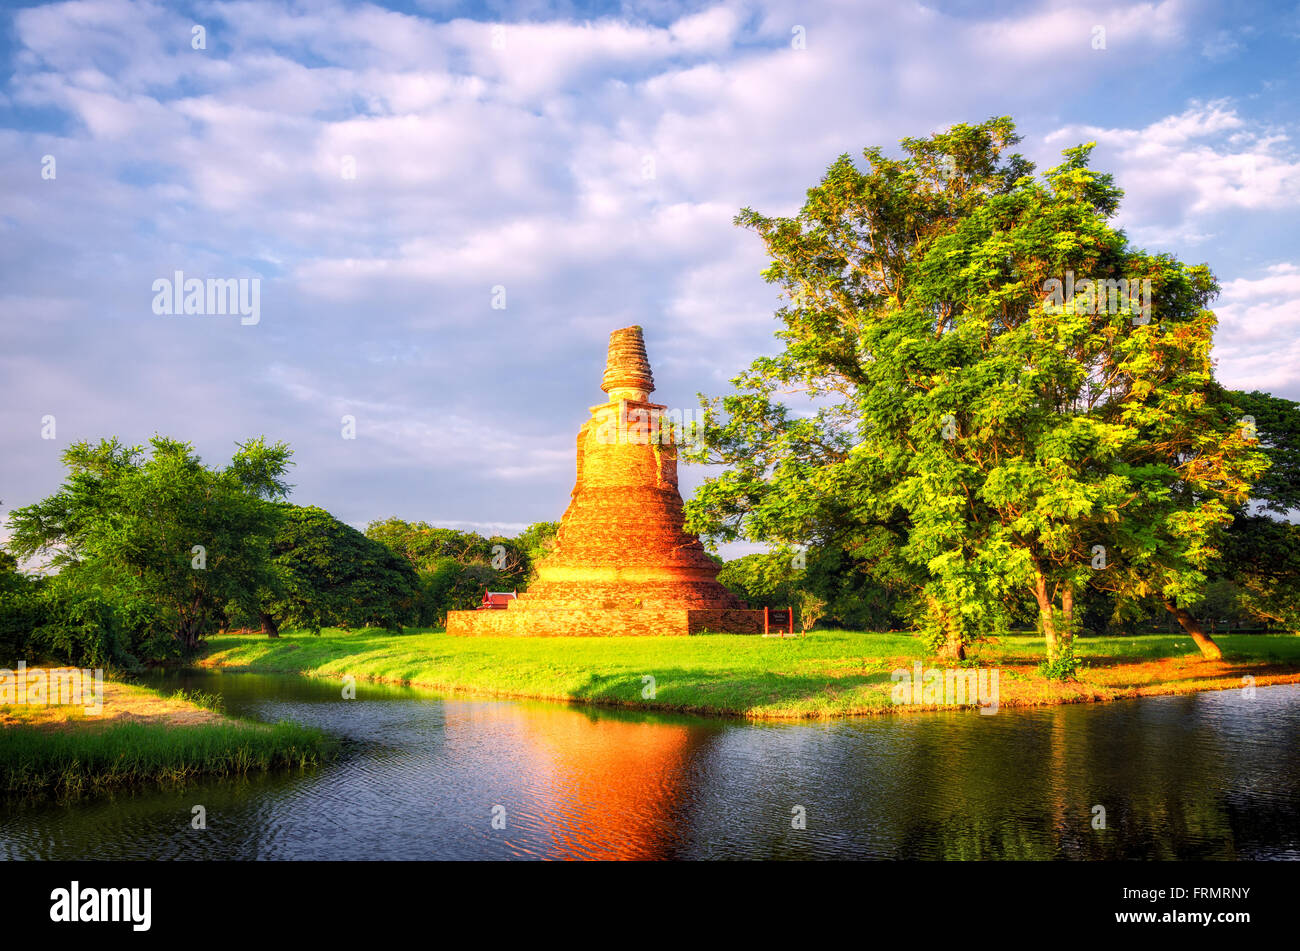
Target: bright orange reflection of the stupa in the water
point(605, 788)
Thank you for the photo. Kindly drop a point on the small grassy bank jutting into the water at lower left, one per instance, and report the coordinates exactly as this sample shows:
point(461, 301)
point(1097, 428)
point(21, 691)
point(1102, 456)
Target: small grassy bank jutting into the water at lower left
point(141, 736)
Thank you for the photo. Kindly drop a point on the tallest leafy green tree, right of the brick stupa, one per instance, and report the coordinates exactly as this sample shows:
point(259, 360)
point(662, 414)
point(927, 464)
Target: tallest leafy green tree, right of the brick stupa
point(977, 424)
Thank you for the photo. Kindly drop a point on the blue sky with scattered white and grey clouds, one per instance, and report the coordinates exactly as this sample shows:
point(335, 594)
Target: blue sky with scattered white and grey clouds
point(392, 171)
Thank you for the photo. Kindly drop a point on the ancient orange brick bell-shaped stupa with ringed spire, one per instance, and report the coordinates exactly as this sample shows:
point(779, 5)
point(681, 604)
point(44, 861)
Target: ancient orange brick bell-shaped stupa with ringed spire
point(623, 563)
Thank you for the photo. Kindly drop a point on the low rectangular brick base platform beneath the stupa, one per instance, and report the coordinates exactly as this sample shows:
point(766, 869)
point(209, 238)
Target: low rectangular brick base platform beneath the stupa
point(605, 623)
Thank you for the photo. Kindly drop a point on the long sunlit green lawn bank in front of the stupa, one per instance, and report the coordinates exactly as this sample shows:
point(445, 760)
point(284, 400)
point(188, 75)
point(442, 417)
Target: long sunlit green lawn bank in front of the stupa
point(825, 675)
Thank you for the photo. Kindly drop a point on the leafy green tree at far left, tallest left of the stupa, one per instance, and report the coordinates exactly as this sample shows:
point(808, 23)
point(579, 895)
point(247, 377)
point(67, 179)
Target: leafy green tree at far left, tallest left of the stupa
point(162, 529)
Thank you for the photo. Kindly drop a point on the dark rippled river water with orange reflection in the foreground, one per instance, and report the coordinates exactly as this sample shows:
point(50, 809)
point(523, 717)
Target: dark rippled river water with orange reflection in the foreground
point(1204, 776)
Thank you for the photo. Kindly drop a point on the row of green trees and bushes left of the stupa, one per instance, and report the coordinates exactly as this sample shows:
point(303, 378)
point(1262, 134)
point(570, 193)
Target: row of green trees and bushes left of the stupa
point(149, 553)
